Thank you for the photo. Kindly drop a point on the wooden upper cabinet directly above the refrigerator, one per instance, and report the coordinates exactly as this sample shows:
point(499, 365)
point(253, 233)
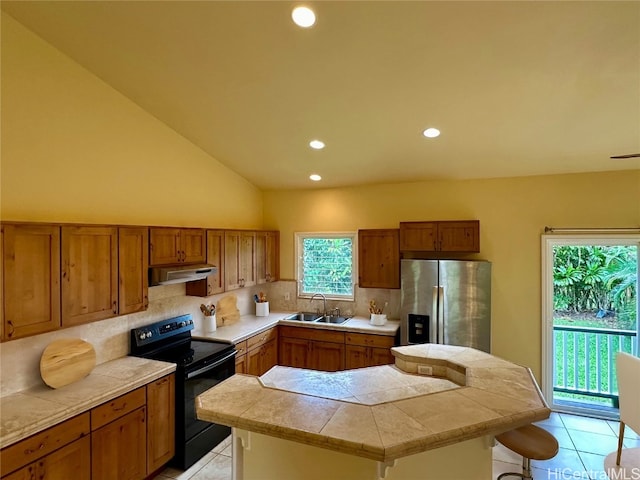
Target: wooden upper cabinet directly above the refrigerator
point(446, 236)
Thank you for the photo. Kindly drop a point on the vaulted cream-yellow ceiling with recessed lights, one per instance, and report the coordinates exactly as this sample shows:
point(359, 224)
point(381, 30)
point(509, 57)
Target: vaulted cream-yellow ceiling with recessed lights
point(516, 88)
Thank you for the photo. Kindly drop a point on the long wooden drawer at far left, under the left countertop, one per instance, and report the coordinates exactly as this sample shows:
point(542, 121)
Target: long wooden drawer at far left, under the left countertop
point(43, 443)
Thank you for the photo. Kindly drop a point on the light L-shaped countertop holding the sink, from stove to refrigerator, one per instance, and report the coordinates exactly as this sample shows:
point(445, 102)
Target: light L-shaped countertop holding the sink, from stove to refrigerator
point(249, 325)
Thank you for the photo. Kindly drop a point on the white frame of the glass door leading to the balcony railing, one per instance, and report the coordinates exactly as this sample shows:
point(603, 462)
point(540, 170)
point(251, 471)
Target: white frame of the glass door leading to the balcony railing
point(548, 242)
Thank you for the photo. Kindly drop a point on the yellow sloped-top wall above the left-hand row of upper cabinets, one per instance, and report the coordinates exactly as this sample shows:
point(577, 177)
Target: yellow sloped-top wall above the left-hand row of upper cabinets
point(76, 150)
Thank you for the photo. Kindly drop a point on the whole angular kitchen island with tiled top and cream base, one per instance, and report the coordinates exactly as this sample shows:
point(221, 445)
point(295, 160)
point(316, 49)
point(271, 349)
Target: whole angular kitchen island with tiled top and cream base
point(431, 416)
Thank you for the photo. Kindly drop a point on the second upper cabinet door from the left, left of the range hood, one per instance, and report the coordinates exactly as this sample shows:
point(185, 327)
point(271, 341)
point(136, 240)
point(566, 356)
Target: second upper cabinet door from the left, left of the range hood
point(89, 274)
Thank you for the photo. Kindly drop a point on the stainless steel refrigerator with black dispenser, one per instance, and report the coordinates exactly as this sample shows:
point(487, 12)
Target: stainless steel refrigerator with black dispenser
point(447, 302)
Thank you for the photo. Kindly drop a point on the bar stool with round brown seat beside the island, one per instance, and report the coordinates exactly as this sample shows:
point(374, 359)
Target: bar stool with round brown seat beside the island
point(533, 443)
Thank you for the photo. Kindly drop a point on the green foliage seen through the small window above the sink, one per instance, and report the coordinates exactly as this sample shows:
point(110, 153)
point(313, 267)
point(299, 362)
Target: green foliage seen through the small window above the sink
point(327, 266)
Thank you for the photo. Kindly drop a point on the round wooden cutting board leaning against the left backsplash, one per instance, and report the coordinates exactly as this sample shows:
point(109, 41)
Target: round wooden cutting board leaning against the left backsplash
point(66, 361)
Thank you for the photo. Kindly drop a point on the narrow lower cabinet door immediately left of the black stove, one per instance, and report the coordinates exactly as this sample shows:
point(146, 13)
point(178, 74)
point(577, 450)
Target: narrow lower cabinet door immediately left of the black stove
point(160, 422)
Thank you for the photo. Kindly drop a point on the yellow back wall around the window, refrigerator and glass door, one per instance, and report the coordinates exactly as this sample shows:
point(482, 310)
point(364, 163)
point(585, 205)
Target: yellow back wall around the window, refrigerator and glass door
point(512, 212)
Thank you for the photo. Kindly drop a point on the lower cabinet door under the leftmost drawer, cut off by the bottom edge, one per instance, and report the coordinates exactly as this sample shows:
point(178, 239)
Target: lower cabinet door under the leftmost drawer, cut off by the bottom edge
point(71, 462)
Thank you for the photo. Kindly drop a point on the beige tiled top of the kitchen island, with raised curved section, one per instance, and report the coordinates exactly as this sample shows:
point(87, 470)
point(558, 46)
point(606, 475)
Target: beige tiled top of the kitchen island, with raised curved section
point(387, 412)
